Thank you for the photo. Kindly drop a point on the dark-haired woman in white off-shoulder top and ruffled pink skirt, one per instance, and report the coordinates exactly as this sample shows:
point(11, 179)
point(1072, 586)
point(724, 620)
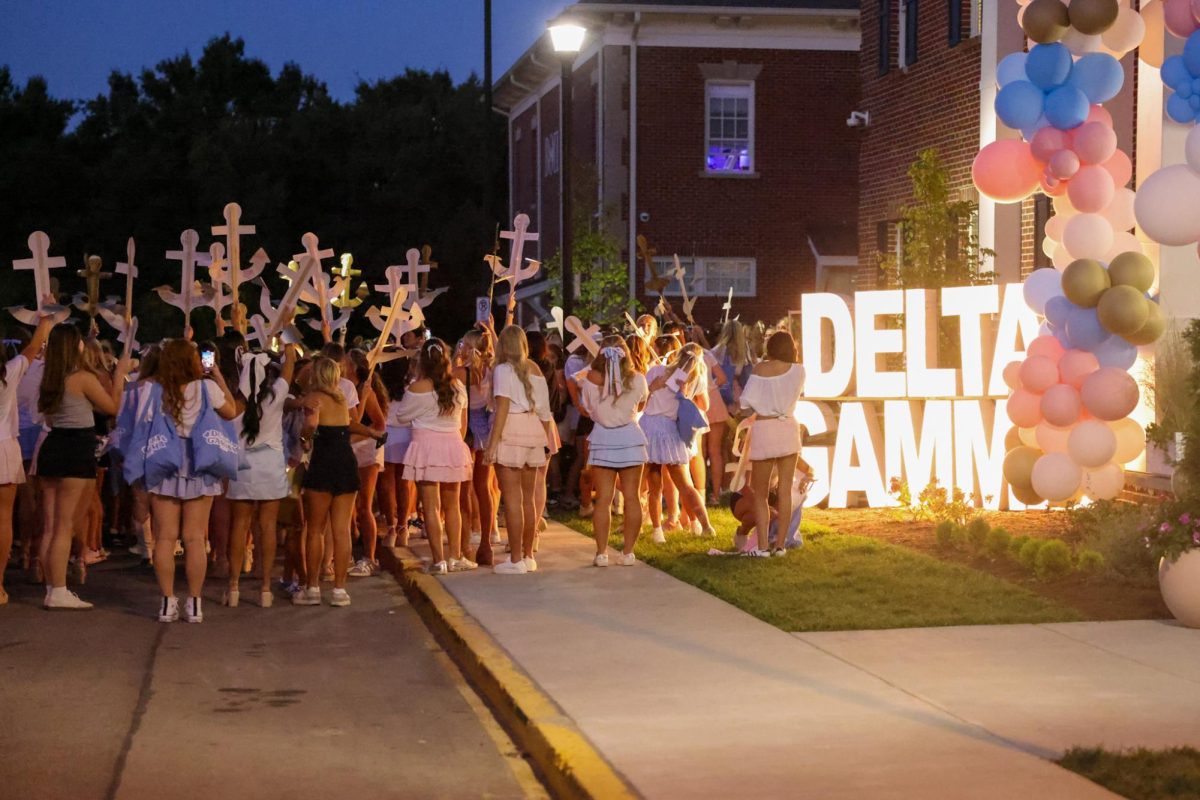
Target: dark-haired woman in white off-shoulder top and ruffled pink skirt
point(439, 459)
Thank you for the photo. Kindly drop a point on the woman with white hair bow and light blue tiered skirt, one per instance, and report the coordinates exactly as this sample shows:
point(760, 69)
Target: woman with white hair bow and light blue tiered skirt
point(614, 395)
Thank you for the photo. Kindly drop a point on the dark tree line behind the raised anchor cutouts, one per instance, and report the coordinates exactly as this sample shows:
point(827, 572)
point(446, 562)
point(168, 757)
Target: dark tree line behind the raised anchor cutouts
point(401, 166)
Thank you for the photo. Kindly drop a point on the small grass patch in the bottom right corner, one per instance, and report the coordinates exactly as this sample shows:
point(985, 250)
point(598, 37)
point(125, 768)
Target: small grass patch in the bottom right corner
point(1141, 774)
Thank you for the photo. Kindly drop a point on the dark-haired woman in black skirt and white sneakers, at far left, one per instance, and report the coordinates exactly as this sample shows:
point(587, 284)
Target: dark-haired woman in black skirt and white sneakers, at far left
point(67, 461)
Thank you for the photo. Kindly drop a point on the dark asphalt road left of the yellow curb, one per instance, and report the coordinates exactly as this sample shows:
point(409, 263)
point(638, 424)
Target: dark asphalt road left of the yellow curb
point(255, 703)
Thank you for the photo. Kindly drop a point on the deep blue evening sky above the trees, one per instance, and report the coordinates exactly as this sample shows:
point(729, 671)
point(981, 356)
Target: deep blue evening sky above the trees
point(76, 44)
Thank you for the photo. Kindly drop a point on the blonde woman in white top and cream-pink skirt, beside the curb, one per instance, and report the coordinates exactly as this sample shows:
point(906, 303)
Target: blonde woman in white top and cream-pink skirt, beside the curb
point(519, 444)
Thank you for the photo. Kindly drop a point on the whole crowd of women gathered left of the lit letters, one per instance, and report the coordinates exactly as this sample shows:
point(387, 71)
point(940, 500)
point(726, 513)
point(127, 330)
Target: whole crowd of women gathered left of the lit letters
point(335, 455)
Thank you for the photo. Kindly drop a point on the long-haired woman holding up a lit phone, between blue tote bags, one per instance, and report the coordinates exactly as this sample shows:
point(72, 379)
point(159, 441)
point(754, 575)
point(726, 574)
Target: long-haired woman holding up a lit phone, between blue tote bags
point(181, 504)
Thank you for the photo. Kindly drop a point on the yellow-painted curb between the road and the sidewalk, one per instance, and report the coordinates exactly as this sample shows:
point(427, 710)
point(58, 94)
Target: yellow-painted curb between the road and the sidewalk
point(563, 756)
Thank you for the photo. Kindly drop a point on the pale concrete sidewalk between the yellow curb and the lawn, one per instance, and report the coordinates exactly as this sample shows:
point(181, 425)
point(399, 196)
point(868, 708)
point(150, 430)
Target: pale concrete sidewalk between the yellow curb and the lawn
point(687, 696)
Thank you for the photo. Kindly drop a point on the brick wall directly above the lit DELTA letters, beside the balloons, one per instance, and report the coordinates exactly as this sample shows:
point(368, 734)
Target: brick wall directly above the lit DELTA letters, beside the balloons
point(934, 104)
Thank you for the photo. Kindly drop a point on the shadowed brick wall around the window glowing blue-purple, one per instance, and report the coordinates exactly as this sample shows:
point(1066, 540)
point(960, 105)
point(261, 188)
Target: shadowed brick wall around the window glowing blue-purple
point(805, 154)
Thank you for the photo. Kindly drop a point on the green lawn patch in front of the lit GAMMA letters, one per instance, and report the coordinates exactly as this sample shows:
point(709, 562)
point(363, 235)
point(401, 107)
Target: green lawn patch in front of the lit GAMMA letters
point(838, 582)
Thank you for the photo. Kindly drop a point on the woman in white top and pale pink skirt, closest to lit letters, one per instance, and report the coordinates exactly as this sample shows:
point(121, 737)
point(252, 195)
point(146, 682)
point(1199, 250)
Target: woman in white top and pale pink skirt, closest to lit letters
point(772, 393)
